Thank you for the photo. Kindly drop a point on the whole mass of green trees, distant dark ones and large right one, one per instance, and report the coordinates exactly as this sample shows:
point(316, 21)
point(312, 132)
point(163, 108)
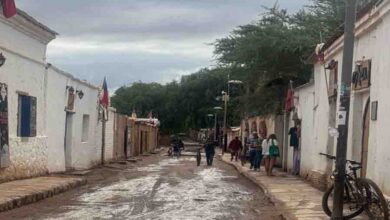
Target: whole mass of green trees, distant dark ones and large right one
point(265, 55)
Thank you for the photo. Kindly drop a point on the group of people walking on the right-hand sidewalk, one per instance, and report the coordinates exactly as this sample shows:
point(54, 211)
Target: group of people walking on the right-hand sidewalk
point(258, 149)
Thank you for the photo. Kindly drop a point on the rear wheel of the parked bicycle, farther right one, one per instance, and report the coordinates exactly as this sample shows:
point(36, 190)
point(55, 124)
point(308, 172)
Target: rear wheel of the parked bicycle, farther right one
point(376, 205)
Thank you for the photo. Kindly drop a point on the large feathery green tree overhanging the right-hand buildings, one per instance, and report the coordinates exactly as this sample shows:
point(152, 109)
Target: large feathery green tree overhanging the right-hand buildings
point(271, 51)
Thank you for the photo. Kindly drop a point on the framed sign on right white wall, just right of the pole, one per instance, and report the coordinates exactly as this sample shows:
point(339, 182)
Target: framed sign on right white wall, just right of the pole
point(361, 78)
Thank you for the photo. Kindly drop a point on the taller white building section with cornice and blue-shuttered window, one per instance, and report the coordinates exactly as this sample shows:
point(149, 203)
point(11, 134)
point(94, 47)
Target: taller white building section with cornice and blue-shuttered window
point(23, 43)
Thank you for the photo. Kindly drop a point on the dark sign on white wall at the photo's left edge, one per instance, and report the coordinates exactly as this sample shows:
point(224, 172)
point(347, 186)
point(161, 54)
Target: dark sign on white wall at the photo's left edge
point(4, 144)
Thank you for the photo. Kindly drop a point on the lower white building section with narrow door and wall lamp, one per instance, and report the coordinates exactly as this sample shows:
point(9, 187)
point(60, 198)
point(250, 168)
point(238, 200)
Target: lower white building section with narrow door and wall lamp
point(74, 132)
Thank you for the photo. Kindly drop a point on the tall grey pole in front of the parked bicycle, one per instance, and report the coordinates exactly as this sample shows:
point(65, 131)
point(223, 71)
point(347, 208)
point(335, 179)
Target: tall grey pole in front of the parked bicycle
point(345, 97)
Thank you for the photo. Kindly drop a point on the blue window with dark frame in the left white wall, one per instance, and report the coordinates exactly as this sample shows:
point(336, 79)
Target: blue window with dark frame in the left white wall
point(27, 116)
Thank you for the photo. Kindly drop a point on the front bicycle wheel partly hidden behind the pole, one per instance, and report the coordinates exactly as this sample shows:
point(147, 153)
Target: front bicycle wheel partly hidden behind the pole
point(351, 208)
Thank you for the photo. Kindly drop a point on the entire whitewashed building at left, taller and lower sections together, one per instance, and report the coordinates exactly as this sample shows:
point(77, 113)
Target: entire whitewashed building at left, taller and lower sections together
point(50, 126)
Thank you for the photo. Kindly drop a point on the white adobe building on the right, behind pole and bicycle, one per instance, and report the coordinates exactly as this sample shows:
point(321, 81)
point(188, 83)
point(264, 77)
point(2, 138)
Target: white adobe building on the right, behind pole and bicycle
point(369, 126)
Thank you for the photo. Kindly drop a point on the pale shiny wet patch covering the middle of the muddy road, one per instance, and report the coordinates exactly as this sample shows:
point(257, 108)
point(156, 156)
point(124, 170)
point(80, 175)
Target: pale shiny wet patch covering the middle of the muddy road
point(204, 196)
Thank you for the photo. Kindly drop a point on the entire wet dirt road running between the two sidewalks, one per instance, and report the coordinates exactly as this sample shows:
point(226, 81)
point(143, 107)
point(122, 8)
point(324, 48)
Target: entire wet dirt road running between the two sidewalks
point(166, 189)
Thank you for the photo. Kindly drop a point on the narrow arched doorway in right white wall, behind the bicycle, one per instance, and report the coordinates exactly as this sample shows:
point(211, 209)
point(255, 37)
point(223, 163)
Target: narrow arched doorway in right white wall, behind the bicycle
point(365, 137)
